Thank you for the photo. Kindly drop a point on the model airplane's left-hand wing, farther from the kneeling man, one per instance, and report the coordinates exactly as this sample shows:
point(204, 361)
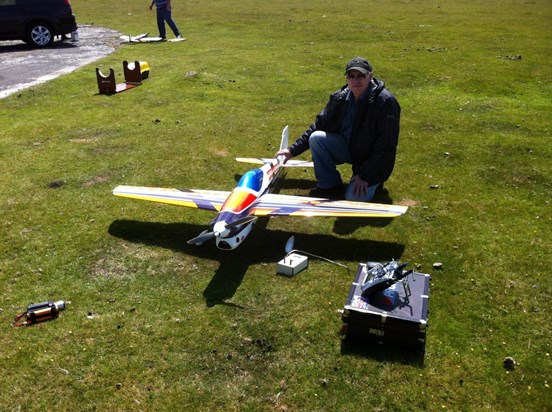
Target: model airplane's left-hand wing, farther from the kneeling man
point(200, 199)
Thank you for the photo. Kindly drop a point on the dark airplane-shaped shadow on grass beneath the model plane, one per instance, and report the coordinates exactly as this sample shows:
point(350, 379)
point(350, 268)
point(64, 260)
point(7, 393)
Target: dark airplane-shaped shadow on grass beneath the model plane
point(262, 245)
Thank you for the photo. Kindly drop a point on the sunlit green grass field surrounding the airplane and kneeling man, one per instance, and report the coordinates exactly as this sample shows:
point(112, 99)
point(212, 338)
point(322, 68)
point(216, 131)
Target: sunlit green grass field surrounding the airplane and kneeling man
point(154, 324)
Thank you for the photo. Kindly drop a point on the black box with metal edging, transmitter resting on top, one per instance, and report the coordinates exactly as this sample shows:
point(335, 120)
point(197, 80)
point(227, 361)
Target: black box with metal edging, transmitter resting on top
point(396, 316)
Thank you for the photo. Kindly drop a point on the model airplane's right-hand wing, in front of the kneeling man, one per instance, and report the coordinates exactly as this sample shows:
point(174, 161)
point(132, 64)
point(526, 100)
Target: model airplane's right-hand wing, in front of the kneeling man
point(284, 205)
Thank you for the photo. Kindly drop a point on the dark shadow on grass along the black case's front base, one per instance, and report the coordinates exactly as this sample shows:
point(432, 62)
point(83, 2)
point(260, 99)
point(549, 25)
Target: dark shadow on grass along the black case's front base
point(381, 353)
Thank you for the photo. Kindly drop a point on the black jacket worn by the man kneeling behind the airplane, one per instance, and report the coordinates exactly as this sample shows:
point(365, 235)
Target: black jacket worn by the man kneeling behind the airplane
point(374, 136)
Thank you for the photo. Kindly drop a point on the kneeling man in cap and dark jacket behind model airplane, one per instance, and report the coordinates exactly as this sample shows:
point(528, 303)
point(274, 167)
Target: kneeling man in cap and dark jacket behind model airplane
point(359, 125)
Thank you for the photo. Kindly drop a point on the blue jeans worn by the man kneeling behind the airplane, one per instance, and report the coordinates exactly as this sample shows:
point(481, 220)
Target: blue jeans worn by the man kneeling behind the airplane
point(329, 150)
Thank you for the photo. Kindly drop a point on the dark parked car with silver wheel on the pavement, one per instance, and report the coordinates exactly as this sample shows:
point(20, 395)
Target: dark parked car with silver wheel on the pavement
point(37, 22)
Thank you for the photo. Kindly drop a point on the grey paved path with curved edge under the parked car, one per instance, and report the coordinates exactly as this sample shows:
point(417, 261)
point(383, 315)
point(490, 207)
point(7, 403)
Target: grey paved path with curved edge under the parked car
point(22, 67)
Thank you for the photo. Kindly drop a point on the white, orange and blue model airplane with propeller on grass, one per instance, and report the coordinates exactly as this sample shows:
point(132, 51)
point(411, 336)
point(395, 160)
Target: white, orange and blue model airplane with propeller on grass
point(239, 209)
